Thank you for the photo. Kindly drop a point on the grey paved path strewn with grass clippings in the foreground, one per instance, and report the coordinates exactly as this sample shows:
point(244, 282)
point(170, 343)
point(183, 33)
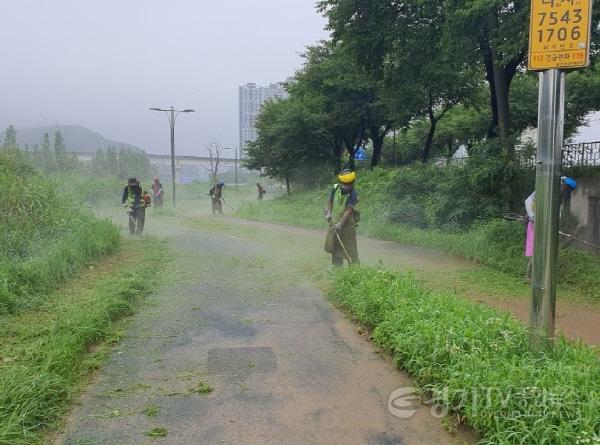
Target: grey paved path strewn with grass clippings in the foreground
point(239, 311)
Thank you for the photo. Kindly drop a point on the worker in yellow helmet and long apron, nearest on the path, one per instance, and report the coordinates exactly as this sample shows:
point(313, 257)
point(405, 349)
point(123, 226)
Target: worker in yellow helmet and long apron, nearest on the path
point(341, 238)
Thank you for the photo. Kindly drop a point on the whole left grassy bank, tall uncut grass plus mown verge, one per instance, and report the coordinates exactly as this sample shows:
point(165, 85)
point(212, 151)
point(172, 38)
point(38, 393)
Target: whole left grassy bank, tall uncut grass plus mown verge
point(48, 328)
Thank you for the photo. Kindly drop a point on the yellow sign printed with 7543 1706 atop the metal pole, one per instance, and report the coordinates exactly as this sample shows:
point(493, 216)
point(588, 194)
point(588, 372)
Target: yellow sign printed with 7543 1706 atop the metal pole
point(559, 34)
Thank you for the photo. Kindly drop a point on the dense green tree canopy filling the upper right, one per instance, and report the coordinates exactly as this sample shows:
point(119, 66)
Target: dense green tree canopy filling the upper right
point(443, 75)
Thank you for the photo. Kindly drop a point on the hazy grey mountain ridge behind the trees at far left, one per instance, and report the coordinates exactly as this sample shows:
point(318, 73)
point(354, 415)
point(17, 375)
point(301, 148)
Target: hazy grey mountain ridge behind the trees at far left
point(78, 139)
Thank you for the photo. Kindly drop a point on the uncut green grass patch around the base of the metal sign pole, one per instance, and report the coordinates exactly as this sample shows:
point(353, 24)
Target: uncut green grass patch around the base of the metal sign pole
point(475, 361)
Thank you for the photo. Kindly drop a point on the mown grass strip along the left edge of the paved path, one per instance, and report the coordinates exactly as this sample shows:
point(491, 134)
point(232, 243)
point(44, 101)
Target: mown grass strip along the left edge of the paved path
point(46, 353)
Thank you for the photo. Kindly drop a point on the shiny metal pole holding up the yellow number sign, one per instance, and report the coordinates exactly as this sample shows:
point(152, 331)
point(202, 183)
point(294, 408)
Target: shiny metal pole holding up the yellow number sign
point(547, 207)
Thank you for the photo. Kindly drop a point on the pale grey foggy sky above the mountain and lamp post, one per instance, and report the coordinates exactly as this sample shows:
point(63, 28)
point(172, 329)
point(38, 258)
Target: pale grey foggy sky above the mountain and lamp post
point(102, 63)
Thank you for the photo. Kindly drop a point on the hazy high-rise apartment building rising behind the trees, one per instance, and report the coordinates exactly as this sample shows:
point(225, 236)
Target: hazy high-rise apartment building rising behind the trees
point(252, 97)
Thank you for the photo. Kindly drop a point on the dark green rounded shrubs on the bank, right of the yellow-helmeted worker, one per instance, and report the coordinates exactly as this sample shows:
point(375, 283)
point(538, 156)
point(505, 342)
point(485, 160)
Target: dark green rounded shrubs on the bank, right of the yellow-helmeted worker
point(456, 196)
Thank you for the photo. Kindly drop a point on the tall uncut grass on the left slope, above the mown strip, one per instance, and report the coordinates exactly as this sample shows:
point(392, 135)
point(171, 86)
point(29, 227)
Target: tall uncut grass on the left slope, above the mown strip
point(46, 237)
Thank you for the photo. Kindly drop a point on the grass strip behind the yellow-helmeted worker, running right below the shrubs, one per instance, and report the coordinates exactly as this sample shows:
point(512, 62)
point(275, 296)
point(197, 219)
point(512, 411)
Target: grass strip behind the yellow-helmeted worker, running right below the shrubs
point(497, 244)
